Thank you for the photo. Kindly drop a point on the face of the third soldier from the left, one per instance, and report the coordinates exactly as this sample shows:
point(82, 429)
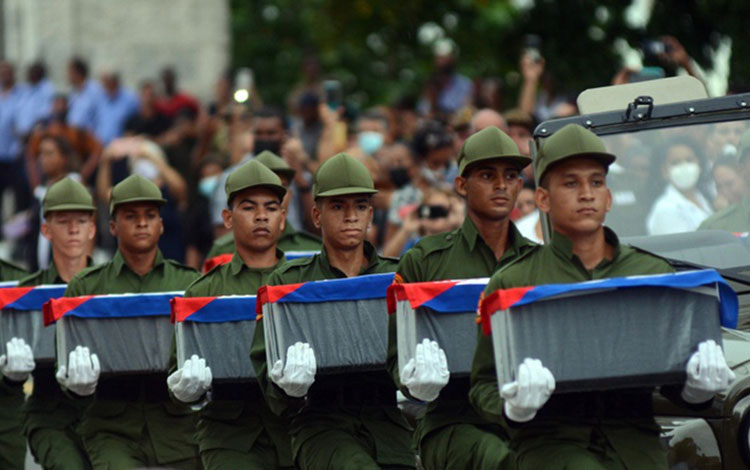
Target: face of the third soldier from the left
point(256, 219)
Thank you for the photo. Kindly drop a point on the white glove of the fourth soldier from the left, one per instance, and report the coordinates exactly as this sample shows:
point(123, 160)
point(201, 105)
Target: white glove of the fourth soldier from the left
point(299, 373)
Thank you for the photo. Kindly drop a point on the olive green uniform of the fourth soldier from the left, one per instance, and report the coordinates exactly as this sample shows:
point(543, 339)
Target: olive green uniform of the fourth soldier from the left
point(347, 421)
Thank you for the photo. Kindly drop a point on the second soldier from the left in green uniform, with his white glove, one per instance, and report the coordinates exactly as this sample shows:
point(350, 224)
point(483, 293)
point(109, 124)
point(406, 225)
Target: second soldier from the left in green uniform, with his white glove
point(132, 421)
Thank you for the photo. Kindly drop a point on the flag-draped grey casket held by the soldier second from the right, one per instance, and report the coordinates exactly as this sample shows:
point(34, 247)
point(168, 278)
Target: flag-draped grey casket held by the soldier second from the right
point(442, 311)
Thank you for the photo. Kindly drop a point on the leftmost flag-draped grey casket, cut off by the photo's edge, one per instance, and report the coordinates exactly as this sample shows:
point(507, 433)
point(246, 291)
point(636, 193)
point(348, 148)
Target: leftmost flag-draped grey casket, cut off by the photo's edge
point(21, 317)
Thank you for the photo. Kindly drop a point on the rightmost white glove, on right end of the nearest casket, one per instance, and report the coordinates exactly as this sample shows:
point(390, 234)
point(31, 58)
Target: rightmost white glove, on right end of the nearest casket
point(707, 373)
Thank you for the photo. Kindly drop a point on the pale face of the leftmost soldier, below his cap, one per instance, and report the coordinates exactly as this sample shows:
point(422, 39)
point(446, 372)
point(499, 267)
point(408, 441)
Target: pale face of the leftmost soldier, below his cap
point(70, 232)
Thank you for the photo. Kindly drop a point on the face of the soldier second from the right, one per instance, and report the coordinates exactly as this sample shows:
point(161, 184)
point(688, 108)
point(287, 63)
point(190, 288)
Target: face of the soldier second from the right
point(490, 189)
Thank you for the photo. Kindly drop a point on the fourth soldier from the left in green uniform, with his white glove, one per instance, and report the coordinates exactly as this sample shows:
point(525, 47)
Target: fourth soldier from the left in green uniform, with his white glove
point(349, 421)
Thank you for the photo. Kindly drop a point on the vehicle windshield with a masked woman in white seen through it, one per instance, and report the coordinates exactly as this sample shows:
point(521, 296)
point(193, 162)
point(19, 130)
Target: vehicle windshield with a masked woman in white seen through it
point(680, 179)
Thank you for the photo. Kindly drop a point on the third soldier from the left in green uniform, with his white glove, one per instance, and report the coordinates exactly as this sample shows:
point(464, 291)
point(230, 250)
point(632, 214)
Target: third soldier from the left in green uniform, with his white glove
point(236, 429)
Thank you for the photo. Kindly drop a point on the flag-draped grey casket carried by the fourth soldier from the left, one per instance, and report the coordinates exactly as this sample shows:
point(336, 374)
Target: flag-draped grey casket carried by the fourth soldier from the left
point(344, 320)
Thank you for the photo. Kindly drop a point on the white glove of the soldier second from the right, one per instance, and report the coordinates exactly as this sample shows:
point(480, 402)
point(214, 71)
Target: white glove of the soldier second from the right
point(427, 372)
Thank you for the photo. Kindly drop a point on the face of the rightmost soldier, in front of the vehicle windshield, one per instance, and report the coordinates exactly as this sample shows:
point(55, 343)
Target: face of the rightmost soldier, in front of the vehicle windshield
point(575, 195)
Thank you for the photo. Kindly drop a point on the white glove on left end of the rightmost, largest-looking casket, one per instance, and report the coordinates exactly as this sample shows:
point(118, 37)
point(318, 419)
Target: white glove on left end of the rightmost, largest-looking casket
point(525, 396)
